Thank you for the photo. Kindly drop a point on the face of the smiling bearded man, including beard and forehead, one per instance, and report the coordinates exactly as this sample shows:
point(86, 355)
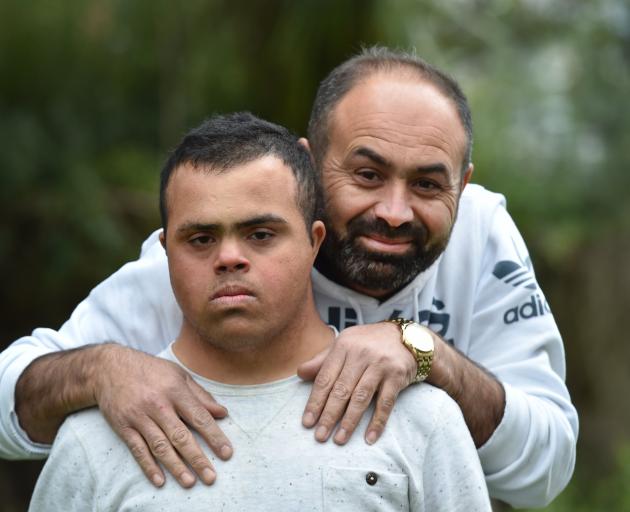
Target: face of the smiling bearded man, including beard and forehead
point(392, 180)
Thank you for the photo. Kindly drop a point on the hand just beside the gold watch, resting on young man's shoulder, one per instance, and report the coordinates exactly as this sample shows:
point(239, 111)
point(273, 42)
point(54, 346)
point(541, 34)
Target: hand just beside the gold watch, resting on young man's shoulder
point(364, 360)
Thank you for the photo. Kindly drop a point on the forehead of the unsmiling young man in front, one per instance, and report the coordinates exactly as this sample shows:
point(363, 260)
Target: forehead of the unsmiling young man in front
point(264, 185)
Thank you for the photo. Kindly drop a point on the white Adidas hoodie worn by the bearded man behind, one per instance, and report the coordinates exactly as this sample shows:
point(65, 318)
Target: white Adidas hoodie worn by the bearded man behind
point(481, 296)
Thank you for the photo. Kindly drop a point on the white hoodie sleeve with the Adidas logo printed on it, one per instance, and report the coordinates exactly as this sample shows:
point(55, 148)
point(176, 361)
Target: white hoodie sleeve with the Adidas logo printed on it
point(530, 457)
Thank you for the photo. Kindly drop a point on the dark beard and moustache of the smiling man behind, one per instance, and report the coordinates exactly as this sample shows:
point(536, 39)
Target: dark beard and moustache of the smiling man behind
point(350, 263)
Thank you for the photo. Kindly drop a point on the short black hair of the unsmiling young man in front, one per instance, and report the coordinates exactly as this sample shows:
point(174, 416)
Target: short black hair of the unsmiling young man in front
point(224, 141)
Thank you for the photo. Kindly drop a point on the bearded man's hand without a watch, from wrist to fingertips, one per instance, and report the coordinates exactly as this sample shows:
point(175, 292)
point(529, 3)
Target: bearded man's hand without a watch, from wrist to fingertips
point(151, 403)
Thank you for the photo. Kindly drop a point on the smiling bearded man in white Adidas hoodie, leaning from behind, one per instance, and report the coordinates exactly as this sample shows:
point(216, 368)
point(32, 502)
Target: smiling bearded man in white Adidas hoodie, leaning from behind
point(392, 137)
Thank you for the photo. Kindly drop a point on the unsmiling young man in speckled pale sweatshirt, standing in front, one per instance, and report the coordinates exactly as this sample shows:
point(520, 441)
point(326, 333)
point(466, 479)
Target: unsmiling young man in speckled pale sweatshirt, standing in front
point(238, 201)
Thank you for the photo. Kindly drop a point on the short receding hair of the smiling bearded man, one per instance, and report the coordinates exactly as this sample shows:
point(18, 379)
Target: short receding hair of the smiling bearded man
point(370, 61)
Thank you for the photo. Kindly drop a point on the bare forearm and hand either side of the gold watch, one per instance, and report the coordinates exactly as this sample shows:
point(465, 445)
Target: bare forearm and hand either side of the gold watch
point(364, 369)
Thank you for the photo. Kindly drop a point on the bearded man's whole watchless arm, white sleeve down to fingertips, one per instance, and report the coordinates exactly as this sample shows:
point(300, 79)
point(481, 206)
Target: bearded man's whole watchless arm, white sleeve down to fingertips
point(135, 306)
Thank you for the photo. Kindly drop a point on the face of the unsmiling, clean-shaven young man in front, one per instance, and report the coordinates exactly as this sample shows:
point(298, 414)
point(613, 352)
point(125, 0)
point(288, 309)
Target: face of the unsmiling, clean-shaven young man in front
point(238, 252)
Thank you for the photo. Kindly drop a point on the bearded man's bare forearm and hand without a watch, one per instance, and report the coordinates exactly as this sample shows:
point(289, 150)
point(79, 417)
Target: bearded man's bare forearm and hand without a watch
point(151, 403)
